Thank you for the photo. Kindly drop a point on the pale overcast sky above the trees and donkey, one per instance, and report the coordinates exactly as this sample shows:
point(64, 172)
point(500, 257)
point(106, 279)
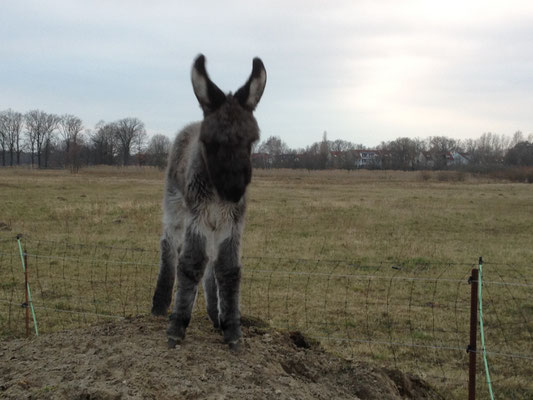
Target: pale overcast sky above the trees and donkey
point(364, 71)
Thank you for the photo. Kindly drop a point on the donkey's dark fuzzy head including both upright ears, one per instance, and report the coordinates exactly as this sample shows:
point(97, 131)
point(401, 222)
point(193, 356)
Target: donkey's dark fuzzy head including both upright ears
point(229, 128)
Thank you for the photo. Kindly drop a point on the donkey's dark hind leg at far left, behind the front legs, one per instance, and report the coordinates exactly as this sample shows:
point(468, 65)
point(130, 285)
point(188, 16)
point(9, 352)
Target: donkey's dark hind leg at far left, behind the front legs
point(165, 281)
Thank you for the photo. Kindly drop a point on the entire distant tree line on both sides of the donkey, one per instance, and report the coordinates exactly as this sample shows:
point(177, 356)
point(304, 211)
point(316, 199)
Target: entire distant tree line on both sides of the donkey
point(46, 140)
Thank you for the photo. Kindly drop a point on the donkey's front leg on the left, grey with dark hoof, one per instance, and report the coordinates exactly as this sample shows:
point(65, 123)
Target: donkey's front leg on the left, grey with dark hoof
point(191, 266)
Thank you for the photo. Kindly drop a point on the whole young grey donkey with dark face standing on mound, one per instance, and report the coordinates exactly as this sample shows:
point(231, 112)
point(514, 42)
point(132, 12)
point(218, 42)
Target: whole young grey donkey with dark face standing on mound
point(209, 168)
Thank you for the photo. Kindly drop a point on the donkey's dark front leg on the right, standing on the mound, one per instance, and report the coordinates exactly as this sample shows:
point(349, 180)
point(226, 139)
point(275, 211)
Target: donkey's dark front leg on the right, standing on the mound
point(228, 274)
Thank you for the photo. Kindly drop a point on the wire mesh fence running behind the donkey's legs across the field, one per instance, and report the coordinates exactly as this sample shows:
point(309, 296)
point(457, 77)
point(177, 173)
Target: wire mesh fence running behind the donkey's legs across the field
point(413, 316)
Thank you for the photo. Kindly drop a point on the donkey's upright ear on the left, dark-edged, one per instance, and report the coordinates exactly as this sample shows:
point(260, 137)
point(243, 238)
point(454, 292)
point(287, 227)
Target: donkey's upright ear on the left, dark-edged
point(207, 93)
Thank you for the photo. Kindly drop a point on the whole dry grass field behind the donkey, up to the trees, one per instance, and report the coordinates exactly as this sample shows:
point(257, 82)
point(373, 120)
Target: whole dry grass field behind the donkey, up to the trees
point(374, 258)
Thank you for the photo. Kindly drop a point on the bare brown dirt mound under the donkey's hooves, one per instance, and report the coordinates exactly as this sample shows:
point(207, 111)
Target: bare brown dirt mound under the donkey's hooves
point(129, 359)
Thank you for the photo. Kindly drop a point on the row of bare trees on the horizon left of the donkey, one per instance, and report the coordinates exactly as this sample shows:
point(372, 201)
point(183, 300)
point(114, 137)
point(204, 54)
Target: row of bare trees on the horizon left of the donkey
point(46, 140)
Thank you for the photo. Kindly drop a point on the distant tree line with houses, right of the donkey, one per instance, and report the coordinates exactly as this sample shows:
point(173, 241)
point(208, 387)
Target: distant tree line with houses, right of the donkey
point(489, 151)
